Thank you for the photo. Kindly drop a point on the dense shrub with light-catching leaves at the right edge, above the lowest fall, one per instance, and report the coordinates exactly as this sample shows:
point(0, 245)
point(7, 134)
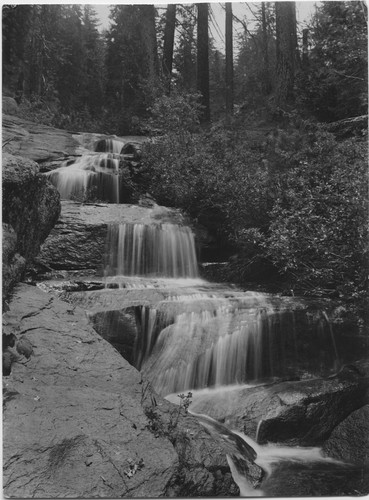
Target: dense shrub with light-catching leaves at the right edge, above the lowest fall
point(318, 231)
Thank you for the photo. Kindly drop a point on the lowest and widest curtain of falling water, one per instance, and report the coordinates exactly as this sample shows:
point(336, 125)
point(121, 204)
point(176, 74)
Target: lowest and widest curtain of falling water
point(228, 345)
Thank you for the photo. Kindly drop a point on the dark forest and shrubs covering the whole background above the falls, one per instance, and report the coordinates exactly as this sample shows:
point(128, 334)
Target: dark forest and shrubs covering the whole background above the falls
point(263, 142)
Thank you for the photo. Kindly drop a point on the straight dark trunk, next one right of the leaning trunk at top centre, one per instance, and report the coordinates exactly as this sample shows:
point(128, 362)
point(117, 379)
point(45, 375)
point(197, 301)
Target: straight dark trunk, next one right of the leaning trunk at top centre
point(203, 59)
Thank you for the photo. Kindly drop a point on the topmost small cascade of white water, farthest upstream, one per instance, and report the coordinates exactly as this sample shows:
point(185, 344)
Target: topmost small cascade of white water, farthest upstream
point(96, 173)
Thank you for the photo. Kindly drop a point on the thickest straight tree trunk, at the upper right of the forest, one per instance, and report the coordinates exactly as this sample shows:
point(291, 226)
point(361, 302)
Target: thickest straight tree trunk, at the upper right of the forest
point(286, 45)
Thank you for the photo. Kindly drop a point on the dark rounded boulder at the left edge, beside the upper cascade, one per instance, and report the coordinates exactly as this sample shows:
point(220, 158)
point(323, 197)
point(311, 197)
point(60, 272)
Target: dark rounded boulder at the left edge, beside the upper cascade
point(31, 207)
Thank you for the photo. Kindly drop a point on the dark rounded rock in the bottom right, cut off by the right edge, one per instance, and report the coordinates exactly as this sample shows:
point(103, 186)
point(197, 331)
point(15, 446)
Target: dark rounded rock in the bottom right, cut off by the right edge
point(349, 441)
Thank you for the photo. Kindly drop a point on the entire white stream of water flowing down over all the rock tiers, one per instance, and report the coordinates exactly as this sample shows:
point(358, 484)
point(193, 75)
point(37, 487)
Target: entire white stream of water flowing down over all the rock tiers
point(199, 336)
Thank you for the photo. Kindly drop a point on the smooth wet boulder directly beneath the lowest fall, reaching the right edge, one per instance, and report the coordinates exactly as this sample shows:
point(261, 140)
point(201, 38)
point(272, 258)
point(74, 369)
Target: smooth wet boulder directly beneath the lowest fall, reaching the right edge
point(295, 412)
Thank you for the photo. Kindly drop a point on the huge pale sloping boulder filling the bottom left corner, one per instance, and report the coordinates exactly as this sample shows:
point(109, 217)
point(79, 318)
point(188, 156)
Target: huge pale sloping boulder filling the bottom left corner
point(79, 421)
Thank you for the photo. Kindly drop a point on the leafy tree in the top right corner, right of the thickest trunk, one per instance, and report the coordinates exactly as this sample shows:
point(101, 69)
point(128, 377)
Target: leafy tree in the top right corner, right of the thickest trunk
point(335, 85)
